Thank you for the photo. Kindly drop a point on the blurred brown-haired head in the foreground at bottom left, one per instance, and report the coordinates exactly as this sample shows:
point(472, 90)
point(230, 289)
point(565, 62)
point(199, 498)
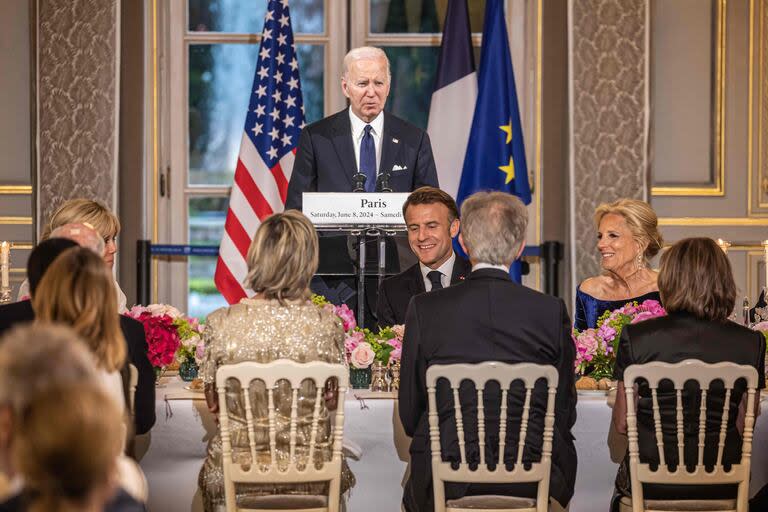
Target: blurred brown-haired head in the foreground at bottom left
point(66, 447)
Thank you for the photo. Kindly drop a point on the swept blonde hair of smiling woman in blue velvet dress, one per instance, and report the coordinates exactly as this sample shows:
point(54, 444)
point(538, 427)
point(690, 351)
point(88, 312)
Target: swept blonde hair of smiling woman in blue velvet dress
point(641, 221)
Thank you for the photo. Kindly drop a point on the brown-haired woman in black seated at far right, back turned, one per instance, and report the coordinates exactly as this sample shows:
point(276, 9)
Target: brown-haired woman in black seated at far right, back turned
point(697, 287)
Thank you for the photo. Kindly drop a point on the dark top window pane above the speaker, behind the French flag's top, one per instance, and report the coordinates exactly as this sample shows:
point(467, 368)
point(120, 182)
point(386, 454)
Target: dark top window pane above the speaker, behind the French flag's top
point(418, 16)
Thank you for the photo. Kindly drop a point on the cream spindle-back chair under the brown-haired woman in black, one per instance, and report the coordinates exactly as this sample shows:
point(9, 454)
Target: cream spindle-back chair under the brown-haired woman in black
point(678, 374)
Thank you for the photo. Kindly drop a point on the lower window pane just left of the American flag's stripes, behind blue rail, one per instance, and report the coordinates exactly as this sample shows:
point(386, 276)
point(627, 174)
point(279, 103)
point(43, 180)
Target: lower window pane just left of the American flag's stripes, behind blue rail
point(206, 225)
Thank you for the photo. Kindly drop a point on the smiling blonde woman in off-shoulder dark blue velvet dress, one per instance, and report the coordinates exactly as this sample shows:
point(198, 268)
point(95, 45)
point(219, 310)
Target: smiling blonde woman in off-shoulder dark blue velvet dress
point(627, 237)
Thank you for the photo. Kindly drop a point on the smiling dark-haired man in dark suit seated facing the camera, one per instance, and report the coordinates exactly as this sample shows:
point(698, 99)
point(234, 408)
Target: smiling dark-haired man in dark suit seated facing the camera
point(432, 219)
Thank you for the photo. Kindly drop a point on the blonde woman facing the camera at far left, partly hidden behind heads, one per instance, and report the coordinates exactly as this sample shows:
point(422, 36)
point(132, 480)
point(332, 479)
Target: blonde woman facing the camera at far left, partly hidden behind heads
point(96, 216)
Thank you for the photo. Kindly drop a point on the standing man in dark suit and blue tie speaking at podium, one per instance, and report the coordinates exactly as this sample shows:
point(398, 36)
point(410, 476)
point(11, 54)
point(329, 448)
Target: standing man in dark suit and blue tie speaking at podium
point(390, 152)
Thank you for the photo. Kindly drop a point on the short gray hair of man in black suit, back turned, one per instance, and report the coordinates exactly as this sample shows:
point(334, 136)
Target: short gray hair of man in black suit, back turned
point(493, 227)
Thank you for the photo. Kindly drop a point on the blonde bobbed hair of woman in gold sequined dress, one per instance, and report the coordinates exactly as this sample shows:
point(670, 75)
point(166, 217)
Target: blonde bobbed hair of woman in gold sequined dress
point(283, 257)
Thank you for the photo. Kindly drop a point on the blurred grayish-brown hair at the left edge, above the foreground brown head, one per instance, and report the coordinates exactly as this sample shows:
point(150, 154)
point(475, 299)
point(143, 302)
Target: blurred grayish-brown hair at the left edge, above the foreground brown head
point(35, 358)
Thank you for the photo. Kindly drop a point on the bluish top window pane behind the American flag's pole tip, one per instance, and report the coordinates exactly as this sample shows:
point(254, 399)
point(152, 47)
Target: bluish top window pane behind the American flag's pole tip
point(247, 16)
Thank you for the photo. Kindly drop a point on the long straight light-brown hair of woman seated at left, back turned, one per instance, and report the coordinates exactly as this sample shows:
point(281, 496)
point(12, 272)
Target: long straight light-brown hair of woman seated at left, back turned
point(78, 290)
